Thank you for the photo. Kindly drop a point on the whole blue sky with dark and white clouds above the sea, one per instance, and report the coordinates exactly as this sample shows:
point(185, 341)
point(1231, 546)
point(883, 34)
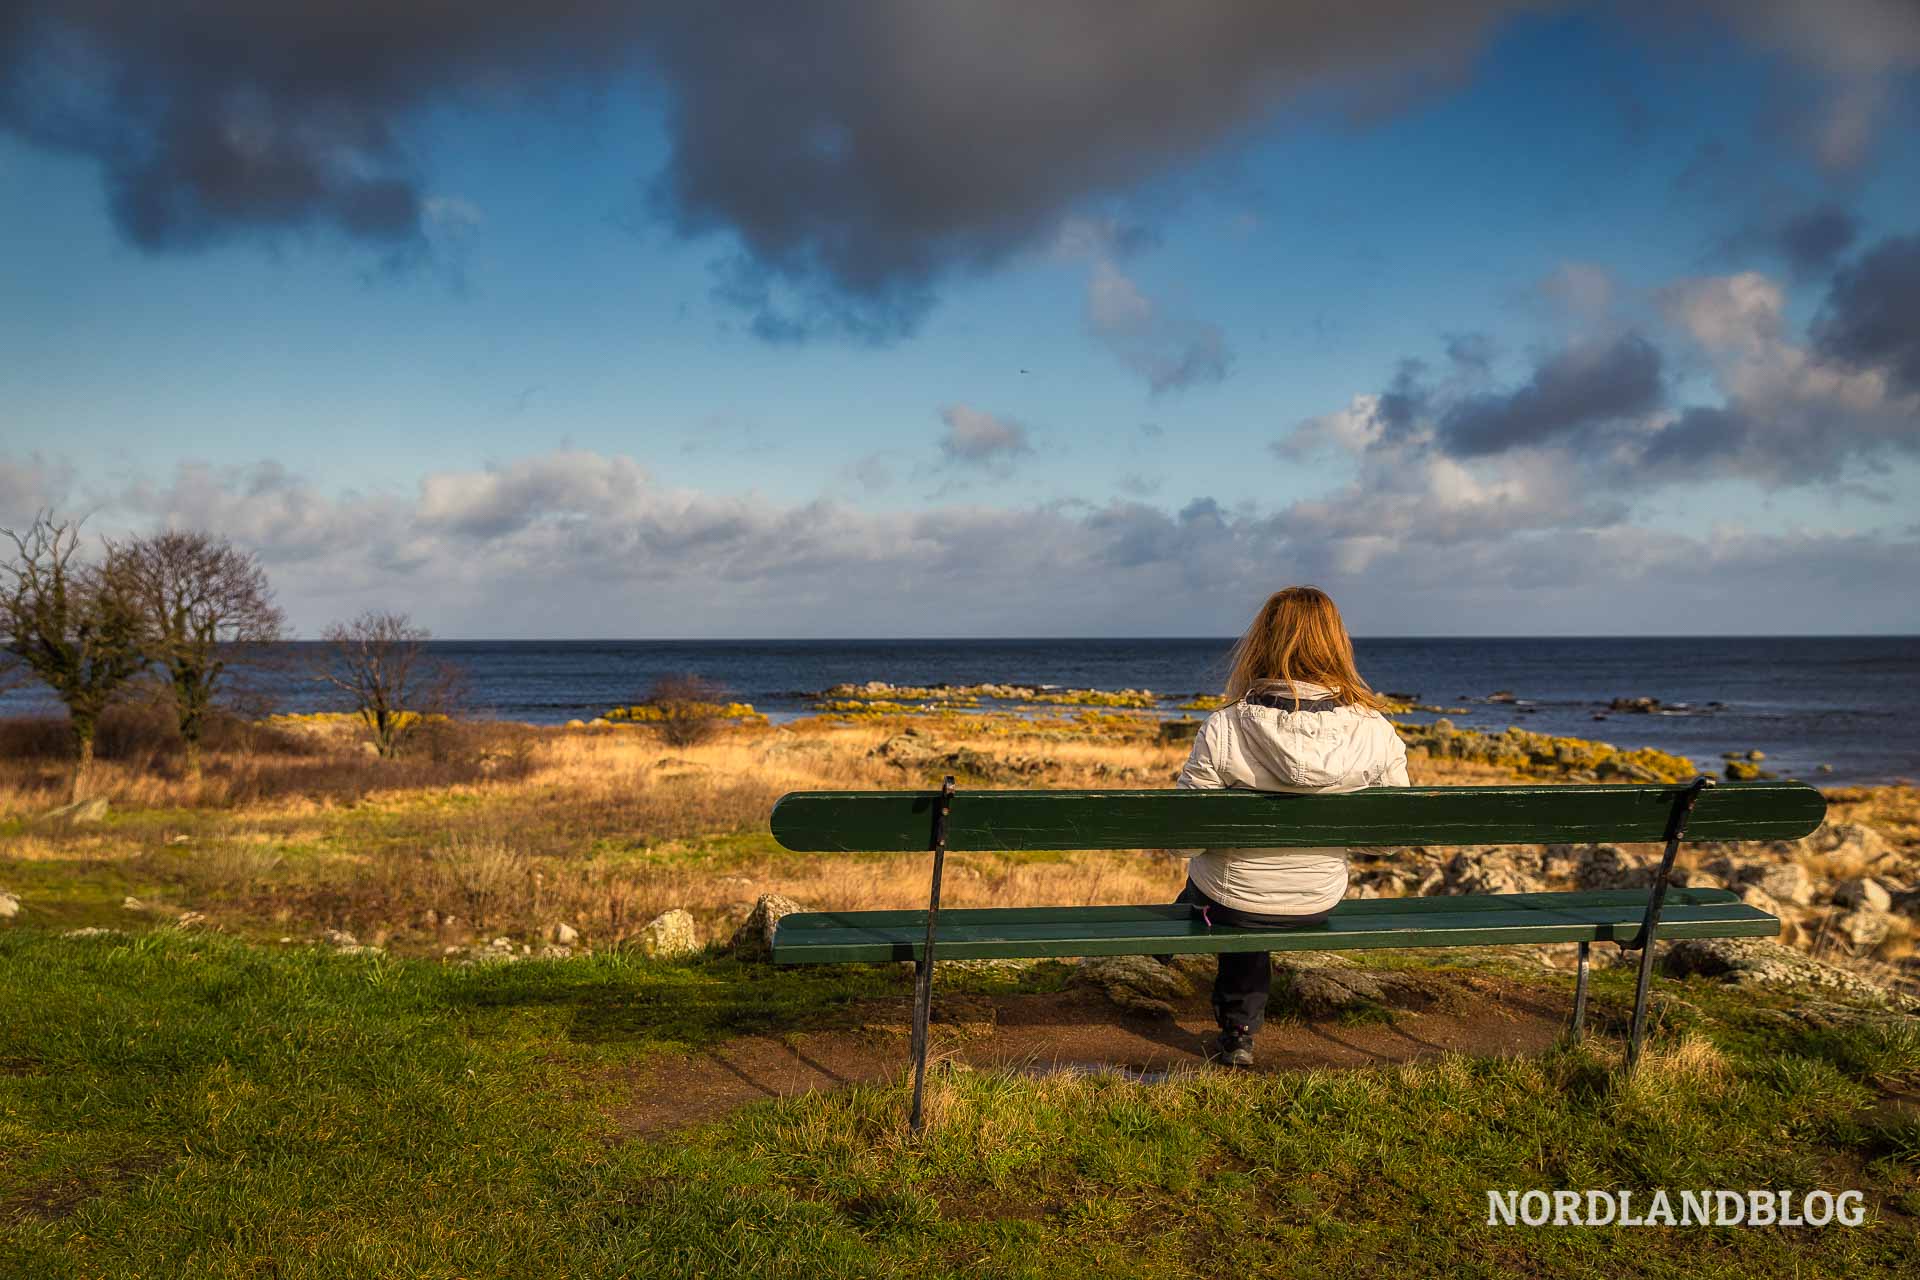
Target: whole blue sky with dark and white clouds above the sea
point(1103, 318)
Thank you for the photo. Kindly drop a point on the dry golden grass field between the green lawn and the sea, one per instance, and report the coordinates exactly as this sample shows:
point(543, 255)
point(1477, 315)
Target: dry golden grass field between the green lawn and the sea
point(508, 830)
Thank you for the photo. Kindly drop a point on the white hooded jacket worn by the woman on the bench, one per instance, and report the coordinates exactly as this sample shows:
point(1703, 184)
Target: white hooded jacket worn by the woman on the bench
point(1274, 749)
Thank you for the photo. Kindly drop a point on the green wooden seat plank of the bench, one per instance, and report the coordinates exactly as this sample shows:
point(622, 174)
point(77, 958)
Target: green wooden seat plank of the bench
point(1078, 932)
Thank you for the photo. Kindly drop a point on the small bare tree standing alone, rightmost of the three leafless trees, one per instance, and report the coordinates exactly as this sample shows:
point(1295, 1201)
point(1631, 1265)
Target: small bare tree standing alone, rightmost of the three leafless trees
point(381, 663)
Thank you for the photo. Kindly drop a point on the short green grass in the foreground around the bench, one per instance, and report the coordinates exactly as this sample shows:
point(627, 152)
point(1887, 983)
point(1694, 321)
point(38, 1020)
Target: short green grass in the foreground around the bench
point(197, 1106)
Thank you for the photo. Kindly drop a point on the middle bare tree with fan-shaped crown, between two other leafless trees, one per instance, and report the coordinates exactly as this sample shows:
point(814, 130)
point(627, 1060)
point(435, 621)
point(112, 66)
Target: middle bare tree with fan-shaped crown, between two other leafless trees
point(208, 605)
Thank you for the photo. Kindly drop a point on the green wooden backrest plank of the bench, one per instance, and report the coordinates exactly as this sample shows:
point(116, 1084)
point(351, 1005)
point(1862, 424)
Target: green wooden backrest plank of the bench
point(1170, 818)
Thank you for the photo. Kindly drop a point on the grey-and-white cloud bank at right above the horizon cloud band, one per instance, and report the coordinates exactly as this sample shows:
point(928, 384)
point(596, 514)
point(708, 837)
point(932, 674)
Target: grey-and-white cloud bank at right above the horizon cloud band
point(1598, 412)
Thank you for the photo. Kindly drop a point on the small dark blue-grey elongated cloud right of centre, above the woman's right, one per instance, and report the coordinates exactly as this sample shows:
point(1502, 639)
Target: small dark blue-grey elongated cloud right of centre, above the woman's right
point(1570, 392)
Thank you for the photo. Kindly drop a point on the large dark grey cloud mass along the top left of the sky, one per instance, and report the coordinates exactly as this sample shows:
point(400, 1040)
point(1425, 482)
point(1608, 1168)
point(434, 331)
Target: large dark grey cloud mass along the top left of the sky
point(855, 153)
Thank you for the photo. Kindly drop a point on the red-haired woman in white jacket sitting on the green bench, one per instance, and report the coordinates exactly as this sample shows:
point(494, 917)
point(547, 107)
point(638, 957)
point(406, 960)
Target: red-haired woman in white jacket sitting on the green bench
point(1297, 719)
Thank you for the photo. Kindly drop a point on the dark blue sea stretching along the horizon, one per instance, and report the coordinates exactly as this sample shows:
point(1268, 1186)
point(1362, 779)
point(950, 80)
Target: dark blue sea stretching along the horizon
point(1846, 703)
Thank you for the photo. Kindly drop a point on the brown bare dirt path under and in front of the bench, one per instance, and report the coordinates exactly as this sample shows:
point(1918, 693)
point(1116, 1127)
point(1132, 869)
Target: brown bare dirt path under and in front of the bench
point(1070, 1031)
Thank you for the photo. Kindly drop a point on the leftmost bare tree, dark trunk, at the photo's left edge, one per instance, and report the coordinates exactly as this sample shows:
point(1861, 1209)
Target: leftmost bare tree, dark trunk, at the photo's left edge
point(72, 623)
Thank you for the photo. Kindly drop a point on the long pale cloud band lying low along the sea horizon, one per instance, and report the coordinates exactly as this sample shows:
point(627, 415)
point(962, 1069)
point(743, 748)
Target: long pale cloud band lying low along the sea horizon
point(581, 544)
